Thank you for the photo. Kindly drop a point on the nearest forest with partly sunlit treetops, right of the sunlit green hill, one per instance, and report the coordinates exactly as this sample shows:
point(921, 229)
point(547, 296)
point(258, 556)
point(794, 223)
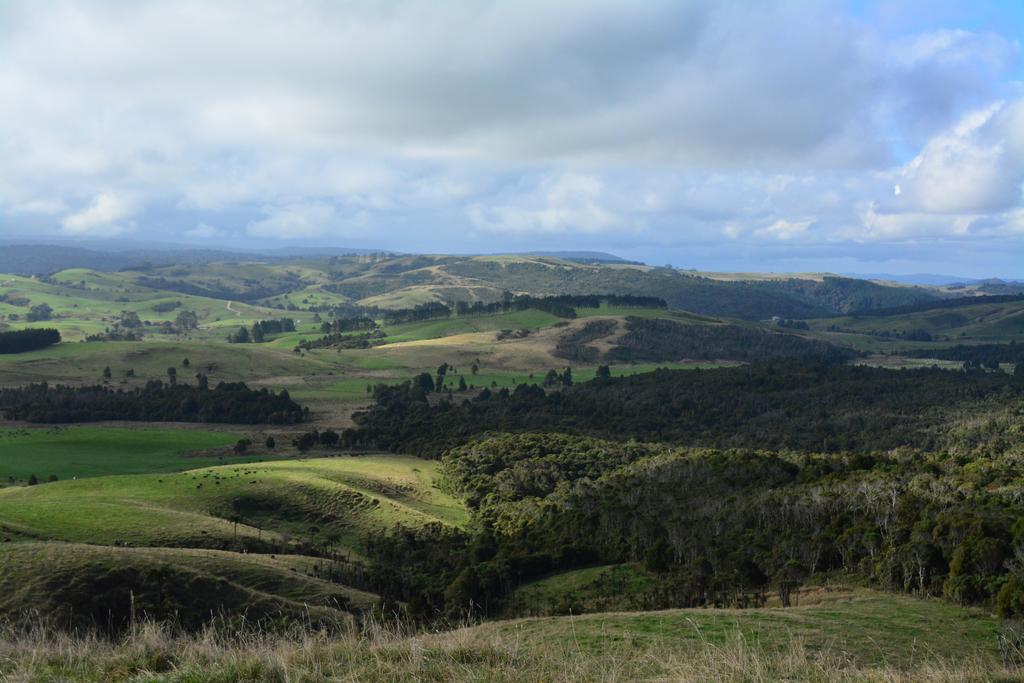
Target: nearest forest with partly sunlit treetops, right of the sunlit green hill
point(753, 523)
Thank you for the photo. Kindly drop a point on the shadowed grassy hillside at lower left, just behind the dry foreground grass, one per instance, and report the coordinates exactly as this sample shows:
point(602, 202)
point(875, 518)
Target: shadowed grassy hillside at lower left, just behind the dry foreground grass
point(100, 586)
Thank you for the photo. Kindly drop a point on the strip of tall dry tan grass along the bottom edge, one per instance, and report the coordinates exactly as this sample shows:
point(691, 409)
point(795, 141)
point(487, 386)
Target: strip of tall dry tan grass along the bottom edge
point(154, 653)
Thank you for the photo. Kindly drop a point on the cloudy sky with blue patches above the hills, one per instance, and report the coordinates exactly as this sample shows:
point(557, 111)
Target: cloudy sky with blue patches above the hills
point(883, 138)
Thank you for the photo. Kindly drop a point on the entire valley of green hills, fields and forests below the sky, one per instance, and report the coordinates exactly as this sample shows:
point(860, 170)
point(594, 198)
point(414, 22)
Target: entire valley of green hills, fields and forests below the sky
point(338, 442)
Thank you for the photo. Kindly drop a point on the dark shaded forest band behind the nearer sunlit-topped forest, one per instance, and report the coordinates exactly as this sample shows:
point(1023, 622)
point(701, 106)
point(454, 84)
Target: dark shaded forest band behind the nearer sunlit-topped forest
point(801, 406)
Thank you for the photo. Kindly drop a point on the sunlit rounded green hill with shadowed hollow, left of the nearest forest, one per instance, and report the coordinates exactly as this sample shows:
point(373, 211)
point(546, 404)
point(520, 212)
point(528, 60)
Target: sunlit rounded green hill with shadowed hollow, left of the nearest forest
point(329, 500)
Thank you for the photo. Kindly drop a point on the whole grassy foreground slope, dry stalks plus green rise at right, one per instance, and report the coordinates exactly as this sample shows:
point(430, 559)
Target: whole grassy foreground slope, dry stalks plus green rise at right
point(844, 636)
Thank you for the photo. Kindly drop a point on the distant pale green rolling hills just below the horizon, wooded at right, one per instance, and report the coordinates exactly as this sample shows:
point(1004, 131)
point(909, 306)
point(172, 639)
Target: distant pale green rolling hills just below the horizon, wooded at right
point(395, 282)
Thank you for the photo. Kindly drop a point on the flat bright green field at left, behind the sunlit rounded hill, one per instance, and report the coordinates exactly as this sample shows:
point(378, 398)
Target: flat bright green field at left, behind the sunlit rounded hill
point(90, 452)
